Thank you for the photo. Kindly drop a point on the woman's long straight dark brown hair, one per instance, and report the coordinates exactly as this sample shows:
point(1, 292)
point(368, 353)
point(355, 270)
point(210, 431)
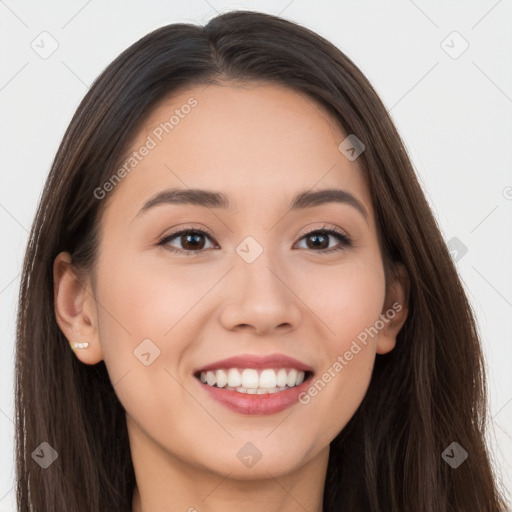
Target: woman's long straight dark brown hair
point(424, 395)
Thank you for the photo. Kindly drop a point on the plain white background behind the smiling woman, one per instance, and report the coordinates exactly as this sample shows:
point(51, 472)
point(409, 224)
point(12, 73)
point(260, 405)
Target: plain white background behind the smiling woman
point(454, 115)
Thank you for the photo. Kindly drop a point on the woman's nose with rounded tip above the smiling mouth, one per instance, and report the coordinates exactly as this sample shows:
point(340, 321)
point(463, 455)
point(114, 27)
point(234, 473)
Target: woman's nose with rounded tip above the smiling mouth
point(262, 299)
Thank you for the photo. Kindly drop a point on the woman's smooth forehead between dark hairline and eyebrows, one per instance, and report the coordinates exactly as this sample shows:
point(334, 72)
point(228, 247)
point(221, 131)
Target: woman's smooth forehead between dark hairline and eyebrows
point(254, 141)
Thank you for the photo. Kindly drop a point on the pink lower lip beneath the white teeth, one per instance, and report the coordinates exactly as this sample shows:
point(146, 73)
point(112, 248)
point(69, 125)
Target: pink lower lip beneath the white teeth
point(244, 403)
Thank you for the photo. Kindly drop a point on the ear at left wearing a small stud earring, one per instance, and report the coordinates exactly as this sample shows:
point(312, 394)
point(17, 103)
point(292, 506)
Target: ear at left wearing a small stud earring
point(75, 309)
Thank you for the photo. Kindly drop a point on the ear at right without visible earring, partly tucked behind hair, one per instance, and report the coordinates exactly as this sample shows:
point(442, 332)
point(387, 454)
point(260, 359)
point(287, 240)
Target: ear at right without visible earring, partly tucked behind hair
point(394, 312)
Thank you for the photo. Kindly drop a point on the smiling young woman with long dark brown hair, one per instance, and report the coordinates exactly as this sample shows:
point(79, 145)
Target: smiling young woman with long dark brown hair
point(262, 310)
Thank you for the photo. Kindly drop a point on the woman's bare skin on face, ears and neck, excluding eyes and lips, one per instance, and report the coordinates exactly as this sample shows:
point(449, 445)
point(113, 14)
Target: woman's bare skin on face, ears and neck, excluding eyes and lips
point(260, 144)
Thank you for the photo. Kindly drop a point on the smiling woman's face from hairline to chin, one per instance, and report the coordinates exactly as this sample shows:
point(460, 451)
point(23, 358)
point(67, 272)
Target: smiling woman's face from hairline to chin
point(182, 286)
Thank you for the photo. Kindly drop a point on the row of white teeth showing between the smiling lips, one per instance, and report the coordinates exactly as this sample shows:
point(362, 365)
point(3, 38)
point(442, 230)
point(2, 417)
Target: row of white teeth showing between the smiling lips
point(254, 381)
